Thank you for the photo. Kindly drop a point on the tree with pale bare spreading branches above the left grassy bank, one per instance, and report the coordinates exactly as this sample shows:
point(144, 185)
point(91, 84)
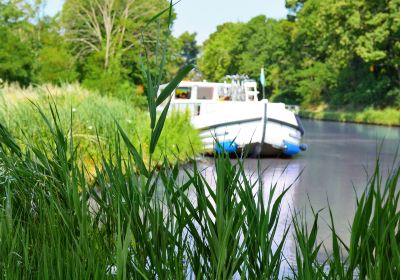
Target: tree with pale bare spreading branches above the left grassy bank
point(107, 37)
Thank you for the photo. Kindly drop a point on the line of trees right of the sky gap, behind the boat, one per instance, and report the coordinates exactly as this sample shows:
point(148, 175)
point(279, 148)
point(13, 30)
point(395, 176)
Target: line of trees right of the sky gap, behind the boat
point(340, 53)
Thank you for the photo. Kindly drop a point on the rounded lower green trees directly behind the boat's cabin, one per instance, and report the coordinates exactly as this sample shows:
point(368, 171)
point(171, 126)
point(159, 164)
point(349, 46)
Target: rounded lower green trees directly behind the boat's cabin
point(246, 47)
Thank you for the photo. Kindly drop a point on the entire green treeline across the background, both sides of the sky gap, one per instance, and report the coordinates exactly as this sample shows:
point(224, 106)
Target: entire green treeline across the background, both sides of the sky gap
point(332, 53)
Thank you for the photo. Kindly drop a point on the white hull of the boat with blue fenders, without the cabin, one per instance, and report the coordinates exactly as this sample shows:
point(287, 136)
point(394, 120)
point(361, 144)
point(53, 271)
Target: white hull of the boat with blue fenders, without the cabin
point(254, 128)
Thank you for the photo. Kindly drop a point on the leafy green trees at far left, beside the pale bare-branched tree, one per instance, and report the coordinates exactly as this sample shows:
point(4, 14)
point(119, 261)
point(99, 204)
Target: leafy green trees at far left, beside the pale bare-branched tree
point(32, 50)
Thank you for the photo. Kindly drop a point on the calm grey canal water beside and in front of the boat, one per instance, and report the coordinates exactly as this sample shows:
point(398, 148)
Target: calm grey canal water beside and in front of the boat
point(336, 167)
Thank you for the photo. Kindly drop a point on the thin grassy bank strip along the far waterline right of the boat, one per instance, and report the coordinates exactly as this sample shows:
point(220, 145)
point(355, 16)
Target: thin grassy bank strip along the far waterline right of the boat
point(388, 116)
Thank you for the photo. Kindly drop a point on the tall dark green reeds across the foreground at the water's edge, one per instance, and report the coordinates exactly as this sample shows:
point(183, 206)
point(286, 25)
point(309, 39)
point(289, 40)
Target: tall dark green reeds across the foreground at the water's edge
point(128, 224)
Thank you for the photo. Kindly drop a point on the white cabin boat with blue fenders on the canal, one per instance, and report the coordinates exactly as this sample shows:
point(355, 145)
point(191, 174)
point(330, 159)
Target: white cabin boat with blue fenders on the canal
point(231, 118)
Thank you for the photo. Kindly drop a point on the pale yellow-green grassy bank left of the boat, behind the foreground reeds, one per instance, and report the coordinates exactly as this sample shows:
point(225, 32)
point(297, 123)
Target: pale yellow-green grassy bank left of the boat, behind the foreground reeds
point(90, 118)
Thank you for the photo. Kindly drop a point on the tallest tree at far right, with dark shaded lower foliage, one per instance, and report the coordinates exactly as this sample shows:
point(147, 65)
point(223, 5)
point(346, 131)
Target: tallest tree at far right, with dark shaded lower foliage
point(358, 40)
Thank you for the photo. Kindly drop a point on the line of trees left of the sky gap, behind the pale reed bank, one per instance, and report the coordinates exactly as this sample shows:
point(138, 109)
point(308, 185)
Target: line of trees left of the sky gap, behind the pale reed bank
point(97, 43)
